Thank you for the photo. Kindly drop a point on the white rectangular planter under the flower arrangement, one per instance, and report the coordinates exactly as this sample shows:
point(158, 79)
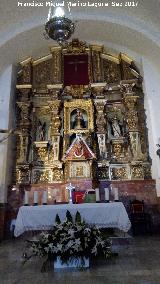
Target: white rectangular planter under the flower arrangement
point(78, 262)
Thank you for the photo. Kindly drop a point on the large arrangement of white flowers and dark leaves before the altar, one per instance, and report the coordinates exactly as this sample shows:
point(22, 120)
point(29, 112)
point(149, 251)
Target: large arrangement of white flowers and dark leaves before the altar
point(71, 239)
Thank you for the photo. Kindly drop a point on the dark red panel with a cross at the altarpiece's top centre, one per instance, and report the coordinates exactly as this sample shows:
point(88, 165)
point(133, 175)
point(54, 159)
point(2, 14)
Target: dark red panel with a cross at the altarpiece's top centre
point(76, 70)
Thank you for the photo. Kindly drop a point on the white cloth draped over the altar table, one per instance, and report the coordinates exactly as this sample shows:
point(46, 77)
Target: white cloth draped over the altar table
point(104, 215)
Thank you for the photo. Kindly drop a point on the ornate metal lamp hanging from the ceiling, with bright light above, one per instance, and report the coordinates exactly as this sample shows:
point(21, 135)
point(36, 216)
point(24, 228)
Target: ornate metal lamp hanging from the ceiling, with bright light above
point(58, 27)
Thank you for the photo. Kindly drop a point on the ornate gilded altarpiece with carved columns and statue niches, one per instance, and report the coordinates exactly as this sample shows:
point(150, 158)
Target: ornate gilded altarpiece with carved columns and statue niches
point(93, 131)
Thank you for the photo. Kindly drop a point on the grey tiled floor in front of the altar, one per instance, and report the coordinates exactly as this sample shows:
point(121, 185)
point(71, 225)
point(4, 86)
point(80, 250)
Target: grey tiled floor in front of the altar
point(137, 263)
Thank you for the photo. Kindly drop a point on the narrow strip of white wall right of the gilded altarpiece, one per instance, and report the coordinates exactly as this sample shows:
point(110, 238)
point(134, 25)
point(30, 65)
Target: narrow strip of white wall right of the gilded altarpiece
point(152, 106)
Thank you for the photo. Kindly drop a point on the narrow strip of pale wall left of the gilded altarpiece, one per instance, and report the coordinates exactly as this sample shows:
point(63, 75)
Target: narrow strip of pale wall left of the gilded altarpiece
point(5, 94)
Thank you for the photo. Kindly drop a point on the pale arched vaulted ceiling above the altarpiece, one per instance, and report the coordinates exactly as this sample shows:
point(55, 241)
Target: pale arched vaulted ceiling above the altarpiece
point(128, 29)
